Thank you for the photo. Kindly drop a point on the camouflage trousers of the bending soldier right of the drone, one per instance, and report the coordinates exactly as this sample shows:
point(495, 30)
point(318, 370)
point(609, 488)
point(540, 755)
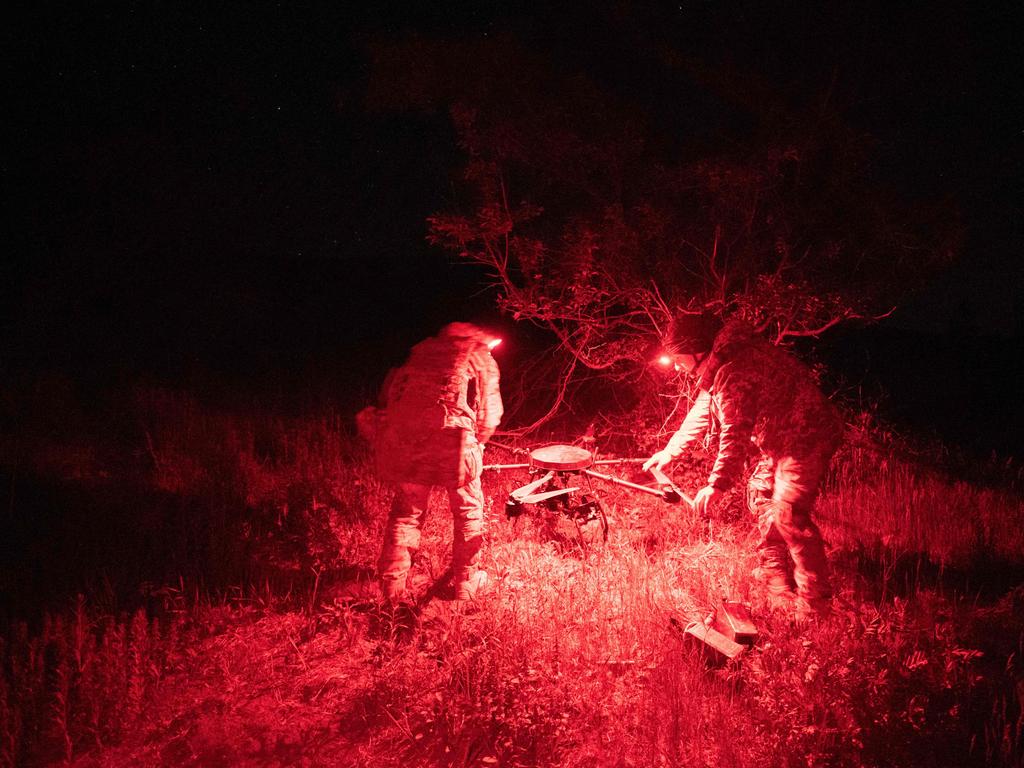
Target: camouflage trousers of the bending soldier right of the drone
point(781, 494)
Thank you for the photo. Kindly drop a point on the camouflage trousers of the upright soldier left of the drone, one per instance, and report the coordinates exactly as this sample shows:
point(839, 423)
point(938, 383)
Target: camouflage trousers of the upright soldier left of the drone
point(402, 539)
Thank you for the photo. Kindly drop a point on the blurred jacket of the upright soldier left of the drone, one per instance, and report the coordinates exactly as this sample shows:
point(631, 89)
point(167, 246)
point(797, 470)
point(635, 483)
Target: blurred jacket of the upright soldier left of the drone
point(438, 410)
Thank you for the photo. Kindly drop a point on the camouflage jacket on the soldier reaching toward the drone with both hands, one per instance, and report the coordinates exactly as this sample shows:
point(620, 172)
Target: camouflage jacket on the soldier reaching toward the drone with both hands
point(758, 395)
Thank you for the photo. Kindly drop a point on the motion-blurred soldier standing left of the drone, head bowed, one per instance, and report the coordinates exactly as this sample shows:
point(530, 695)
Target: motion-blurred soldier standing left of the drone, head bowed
point(439, 411)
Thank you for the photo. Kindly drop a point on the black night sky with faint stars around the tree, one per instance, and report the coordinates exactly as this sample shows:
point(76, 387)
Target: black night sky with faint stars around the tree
point(210, 189)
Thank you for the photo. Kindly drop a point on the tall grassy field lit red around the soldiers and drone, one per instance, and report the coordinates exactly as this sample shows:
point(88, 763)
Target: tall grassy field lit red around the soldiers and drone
point(269, 650)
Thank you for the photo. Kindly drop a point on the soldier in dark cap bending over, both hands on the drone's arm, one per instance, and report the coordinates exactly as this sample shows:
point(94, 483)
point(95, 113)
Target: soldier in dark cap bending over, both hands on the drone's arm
point(758, 394)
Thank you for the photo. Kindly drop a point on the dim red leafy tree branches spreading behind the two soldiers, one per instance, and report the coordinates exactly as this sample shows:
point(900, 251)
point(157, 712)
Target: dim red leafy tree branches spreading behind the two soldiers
point(599, 221)
